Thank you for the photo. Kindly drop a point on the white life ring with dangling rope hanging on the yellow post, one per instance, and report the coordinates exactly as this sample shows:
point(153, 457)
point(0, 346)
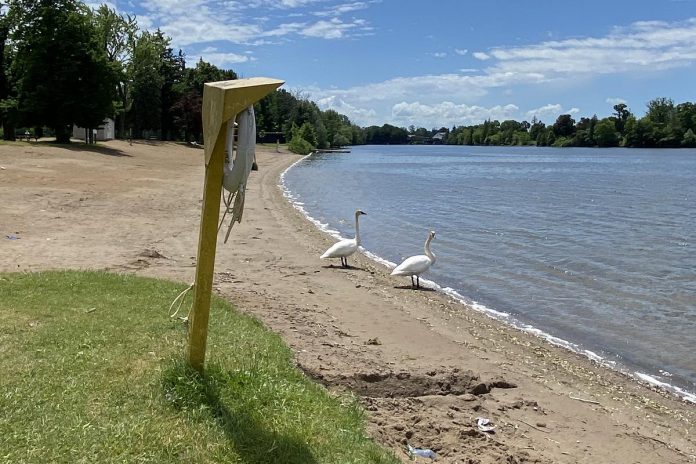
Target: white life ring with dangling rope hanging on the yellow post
point(238, 163)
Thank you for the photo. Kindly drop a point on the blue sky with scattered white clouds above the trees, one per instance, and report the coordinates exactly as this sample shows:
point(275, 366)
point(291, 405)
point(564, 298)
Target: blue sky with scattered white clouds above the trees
point(444, 63)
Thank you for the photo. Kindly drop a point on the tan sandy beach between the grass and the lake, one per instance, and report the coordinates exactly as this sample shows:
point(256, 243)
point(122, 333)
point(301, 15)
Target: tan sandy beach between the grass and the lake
point(425, 367)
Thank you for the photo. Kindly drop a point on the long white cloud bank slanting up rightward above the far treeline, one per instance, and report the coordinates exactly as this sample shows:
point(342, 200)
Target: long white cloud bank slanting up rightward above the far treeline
point(640, 48)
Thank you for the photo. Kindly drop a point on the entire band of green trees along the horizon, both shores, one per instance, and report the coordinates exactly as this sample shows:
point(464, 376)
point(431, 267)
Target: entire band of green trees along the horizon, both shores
point(64, 63)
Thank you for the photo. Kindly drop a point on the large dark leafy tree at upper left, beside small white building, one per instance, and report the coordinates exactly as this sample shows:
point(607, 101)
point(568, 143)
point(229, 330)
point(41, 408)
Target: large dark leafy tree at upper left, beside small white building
point(56, 38)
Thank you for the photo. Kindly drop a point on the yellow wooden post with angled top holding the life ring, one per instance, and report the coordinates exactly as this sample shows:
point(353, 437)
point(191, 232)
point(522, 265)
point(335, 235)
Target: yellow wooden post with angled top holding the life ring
point(222, 101)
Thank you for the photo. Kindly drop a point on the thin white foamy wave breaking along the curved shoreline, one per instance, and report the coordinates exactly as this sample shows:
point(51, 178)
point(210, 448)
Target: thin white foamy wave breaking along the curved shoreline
point(490, 312)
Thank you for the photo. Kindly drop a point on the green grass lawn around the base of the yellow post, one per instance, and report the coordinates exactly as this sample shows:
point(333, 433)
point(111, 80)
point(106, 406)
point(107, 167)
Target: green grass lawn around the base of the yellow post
point(92, 371)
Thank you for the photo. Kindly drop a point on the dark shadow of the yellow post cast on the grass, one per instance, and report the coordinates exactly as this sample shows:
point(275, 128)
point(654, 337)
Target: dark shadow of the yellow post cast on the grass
point(186, 388)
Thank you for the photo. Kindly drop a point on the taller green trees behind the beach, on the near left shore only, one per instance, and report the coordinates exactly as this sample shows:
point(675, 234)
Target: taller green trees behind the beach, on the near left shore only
point(63, 63)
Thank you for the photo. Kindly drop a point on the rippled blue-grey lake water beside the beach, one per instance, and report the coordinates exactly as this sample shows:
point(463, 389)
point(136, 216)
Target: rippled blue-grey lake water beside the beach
point(593, 249)
